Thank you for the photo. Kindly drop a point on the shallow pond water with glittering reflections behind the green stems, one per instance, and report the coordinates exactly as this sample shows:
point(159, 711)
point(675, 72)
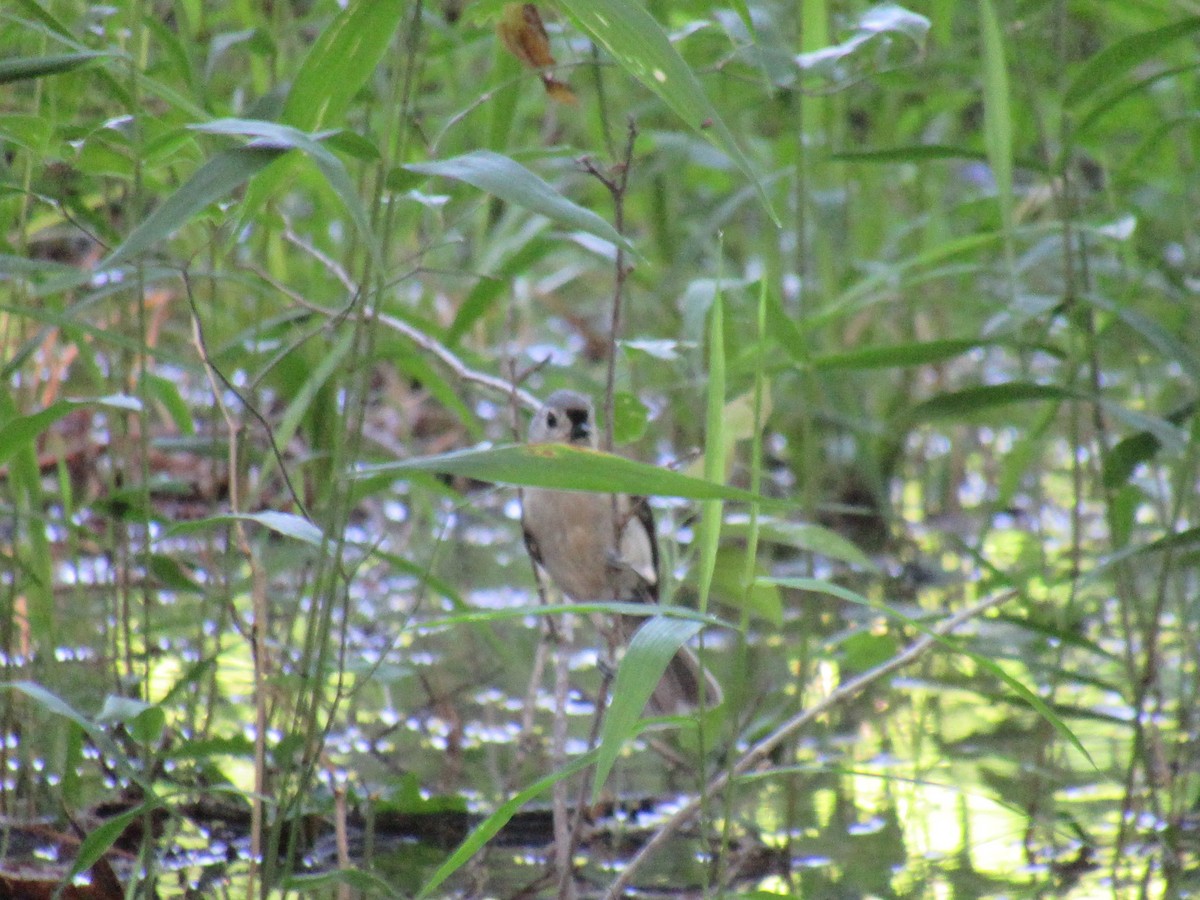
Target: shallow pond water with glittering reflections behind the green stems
point(994, 764)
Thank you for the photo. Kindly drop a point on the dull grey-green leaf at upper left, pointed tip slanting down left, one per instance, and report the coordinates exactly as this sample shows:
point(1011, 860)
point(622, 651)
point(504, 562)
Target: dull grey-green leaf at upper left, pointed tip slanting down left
point(214, 181)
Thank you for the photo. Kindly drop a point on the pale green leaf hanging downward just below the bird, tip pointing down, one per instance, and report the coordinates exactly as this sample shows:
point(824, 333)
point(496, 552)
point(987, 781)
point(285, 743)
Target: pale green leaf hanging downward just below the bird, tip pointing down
point(646, 659)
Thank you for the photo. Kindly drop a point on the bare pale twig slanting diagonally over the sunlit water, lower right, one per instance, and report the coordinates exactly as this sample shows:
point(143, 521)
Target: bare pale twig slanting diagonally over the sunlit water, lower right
point(763, 751)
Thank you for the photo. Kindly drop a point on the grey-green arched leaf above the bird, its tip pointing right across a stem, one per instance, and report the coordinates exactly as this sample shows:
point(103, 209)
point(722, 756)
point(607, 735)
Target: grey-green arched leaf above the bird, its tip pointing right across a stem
point(514, 183)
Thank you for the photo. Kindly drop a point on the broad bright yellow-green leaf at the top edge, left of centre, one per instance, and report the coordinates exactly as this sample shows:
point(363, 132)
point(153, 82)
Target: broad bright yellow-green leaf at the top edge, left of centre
point(340, 63)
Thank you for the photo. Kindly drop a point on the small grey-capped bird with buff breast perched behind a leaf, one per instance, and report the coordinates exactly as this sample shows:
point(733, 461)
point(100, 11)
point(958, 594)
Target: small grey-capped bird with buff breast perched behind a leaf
point(597, 548)
